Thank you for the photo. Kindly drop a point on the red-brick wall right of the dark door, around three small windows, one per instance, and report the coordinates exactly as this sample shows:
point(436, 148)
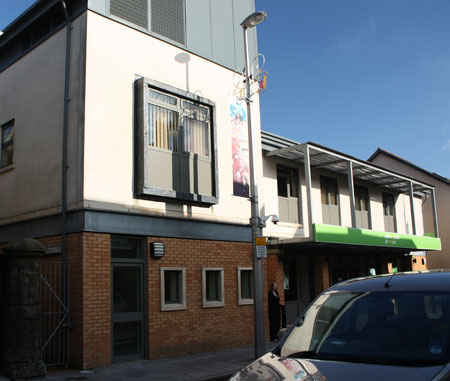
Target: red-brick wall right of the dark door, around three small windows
point(198, 329)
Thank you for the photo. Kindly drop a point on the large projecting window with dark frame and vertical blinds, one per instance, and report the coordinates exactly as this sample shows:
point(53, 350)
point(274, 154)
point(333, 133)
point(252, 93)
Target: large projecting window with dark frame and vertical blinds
point(175, 144)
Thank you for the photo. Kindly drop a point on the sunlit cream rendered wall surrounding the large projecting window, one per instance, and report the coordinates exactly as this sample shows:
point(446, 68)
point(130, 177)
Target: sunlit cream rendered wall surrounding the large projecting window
point(117, 54)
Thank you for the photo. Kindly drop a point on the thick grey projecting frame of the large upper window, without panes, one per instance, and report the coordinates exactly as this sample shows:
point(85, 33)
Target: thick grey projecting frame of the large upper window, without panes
point(143, 189)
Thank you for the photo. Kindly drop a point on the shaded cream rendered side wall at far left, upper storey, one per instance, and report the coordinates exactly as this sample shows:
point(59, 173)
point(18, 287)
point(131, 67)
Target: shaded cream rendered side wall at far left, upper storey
point(32, 93)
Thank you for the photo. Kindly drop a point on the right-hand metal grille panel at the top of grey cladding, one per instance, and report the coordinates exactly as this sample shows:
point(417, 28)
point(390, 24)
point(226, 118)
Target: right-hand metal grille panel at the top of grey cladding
point(168, 19)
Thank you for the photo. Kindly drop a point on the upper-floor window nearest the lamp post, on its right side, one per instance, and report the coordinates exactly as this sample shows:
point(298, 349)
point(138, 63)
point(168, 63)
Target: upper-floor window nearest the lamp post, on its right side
point(288, 191)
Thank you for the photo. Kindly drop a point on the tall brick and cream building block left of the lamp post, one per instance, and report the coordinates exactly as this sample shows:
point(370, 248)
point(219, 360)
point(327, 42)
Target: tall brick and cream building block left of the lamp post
point(121, 123)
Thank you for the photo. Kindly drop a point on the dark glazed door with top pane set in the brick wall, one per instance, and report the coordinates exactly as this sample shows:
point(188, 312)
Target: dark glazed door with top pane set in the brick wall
point(127, 280)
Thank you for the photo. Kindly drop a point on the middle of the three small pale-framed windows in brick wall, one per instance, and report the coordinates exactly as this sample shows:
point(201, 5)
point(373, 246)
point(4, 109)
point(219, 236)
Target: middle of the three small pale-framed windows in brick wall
point(212, 287)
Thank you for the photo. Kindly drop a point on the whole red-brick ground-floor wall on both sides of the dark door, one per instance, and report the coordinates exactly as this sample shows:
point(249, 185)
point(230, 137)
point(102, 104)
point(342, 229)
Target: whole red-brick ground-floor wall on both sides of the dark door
point(165, 333)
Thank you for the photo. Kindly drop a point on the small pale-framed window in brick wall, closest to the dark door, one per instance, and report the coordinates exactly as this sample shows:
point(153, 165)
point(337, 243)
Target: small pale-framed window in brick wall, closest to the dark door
point(173, 288)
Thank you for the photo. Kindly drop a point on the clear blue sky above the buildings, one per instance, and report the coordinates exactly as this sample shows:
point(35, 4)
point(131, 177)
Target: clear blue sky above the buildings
point(353, 75)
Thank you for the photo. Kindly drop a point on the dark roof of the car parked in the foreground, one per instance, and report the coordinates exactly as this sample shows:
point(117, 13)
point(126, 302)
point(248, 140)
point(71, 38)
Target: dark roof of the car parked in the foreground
point(433, 280)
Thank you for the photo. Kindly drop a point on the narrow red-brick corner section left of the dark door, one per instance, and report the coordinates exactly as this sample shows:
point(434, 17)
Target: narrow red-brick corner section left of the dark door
point(90, 297)
